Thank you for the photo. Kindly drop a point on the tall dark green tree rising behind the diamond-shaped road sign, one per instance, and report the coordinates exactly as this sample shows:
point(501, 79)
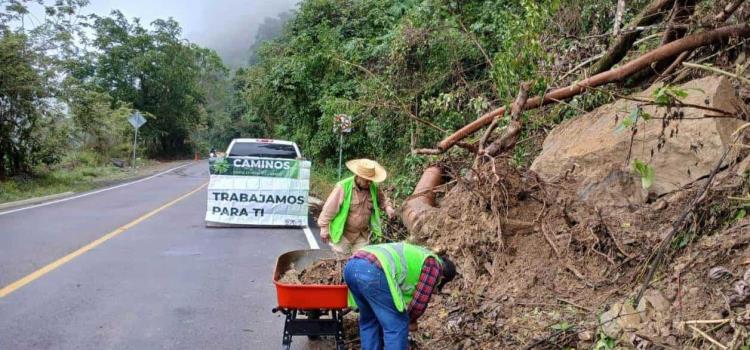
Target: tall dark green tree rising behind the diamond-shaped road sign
point(155, 71)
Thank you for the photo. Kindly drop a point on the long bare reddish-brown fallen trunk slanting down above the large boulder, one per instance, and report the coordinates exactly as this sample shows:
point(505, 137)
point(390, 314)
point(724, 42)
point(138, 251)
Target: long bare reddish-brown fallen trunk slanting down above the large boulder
point(670, 50)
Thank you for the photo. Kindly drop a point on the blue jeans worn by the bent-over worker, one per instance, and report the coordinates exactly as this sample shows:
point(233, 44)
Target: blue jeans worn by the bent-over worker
point(381, 326)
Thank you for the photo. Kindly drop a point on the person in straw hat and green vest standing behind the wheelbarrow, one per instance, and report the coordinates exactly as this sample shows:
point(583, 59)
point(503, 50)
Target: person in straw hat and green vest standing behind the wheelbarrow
point(350, 218)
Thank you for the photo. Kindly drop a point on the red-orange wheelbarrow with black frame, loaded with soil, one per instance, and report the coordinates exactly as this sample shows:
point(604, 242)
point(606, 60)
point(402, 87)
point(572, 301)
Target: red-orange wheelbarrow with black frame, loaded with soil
point(323, 306)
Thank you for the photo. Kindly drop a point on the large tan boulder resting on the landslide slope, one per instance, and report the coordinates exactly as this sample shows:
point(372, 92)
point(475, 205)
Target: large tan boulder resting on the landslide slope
point(590, 146)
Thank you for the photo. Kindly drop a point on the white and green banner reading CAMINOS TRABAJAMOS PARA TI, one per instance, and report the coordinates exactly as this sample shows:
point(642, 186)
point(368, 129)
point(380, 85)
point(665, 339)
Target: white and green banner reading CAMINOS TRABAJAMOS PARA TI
point(258, 191)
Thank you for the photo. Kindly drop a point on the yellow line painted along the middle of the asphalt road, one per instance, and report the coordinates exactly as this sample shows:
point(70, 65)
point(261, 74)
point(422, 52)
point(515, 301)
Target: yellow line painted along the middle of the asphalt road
point(59, 262)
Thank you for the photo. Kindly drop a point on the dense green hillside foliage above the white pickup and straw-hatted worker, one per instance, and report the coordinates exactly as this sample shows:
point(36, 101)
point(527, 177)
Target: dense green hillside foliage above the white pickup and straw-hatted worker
point(395, 66)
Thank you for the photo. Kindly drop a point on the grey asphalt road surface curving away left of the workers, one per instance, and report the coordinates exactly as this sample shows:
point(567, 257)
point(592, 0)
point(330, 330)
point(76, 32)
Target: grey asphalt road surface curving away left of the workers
point(163, 282)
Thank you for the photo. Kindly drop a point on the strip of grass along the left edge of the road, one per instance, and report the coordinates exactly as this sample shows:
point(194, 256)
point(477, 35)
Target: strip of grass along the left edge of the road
point(77, 172)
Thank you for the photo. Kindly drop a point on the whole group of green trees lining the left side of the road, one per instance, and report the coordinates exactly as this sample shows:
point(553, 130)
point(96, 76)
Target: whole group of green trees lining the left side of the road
point(69, 82)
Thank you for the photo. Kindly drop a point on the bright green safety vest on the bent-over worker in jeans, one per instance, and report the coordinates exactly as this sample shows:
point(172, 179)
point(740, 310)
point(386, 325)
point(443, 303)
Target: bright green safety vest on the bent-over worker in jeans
point(402, 264)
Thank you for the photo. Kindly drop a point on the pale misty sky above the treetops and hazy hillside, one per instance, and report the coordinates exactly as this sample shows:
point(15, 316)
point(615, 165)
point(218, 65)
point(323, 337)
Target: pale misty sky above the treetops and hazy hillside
point(227, 26)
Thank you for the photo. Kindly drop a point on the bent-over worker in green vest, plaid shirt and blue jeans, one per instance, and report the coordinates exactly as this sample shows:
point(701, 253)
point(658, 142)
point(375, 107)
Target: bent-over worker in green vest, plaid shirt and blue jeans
point(392, 284)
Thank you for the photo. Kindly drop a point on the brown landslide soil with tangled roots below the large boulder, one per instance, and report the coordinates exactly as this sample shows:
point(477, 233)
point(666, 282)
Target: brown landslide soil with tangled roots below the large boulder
point(542, 268)
